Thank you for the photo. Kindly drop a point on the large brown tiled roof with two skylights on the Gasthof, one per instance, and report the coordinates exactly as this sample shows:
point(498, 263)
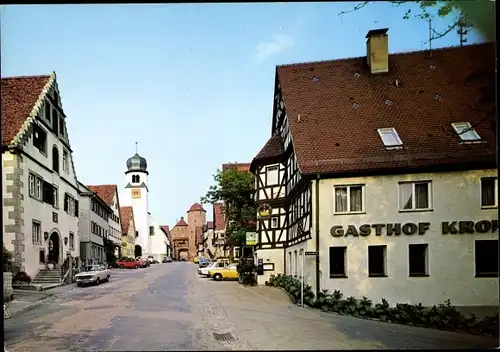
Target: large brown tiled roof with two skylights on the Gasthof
point(334, 109)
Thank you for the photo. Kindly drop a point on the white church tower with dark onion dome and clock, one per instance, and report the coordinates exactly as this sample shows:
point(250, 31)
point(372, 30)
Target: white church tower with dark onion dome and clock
point(137, 194)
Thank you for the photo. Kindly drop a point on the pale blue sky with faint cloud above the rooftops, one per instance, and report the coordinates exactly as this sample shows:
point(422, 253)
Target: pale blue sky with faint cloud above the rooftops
point(193, 84)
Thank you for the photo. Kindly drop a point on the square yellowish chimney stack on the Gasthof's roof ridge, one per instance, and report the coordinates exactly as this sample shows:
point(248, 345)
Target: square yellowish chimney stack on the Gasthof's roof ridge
point(377, 50)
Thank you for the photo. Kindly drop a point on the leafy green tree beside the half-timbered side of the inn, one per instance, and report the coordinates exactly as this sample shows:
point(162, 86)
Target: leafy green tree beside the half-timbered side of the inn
point(234, 188)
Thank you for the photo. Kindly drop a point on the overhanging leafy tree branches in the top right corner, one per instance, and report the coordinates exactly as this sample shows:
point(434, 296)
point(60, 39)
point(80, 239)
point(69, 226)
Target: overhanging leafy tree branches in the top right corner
point(463, 14)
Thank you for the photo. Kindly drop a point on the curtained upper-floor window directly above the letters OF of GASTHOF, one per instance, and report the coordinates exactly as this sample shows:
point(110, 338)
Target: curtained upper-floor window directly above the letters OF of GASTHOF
point(415, 195)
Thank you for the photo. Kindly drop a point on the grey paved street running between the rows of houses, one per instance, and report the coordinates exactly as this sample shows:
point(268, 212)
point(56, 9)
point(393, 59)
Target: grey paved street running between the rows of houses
point(168, 307)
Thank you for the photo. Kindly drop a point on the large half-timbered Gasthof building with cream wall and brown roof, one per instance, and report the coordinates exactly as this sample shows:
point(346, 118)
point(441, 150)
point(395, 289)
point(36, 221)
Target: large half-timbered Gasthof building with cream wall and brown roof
point(385, 169)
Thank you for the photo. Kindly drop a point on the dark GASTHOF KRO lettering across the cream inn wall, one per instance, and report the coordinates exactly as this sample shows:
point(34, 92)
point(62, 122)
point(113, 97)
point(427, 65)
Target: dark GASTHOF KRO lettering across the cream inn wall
point(409, 228)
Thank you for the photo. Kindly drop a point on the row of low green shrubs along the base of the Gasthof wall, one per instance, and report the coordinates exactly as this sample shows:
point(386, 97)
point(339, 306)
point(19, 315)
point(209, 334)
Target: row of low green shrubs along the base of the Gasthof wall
point(445, 316)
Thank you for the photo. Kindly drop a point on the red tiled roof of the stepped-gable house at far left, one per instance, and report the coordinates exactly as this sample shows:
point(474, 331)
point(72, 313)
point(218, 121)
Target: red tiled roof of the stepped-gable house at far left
point(18, 98)
